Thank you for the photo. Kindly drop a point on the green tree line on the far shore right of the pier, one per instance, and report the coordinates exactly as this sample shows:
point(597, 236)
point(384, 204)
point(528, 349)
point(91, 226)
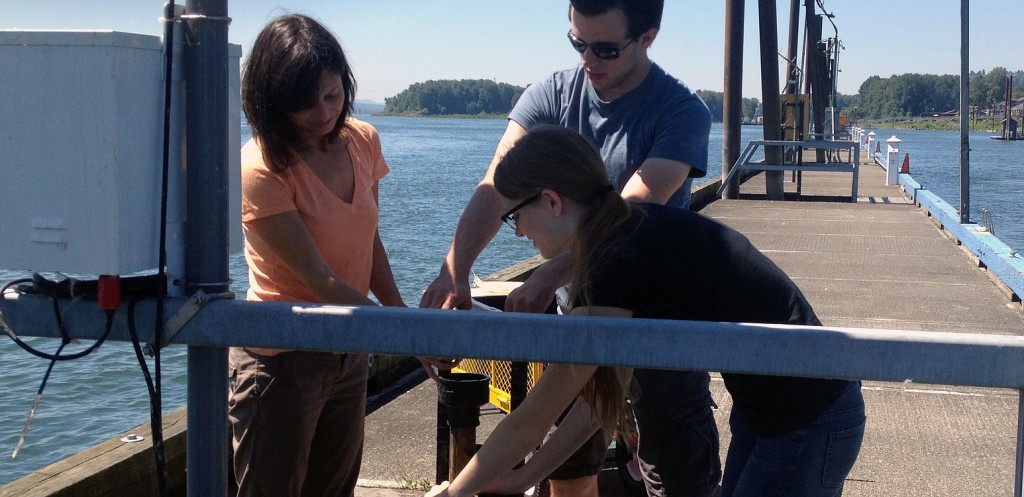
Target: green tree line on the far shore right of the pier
point(925, 95)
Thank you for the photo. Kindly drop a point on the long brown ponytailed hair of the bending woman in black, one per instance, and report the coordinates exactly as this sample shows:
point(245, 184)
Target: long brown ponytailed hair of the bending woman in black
point(560, 159)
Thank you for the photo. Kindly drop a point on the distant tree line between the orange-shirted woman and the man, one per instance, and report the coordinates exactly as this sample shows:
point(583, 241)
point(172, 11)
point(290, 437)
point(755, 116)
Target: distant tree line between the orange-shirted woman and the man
point(455, 97)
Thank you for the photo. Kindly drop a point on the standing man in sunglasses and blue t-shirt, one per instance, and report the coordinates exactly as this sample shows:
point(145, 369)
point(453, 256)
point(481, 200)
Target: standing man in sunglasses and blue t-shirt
point(653, 135)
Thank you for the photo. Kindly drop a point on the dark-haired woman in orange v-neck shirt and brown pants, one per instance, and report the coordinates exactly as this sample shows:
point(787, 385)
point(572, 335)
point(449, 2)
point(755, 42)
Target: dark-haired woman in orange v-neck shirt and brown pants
point(310, 212)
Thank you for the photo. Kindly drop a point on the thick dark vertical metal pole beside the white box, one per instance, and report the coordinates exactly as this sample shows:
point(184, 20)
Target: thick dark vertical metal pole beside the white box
point(206, 235)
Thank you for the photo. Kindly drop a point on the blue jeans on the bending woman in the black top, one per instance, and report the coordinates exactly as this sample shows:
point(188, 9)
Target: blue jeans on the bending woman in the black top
point(812, 462)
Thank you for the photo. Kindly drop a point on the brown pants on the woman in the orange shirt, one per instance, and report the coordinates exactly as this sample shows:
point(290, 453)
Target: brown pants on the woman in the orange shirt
point(297, 423)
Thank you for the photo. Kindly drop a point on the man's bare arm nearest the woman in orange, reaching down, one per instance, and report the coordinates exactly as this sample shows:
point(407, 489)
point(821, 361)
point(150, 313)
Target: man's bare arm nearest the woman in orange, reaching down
point(478, 226)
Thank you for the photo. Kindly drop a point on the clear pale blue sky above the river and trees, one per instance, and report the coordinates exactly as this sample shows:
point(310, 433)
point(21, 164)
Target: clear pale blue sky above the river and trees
point(396, 44)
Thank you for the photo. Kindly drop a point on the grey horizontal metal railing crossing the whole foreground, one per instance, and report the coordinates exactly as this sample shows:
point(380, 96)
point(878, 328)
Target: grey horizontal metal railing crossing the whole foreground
point(940, 358)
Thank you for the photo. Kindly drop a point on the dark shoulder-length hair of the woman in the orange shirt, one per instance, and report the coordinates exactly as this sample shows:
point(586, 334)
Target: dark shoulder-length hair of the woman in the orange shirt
point(282, 75)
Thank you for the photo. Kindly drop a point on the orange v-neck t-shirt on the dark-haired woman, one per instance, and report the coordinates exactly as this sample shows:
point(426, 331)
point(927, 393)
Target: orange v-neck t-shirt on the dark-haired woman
point(344, 232)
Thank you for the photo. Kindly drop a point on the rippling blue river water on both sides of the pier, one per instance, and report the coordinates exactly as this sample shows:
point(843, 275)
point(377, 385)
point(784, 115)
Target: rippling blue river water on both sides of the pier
point(436, 164)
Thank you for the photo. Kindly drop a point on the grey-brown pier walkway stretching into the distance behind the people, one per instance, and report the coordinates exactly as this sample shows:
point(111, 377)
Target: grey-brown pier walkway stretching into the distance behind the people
point(881, 263)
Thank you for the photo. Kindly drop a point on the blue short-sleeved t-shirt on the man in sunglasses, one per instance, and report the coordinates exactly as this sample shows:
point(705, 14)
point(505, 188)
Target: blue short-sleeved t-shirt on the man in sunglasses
point(662, 118)
